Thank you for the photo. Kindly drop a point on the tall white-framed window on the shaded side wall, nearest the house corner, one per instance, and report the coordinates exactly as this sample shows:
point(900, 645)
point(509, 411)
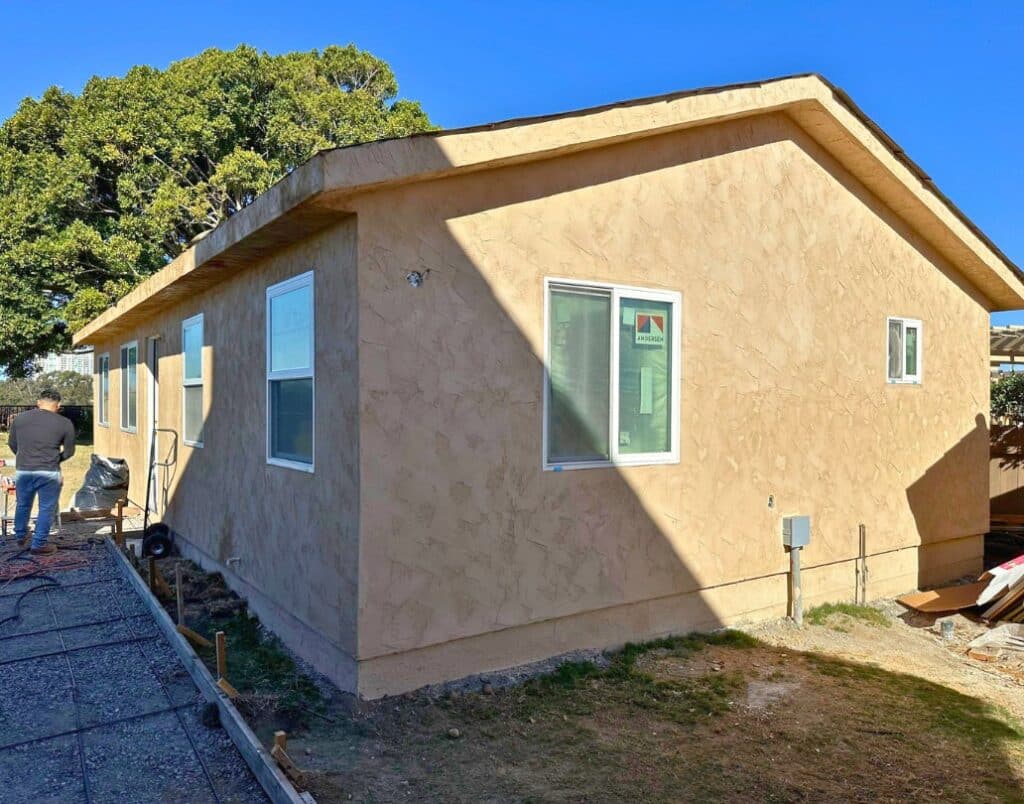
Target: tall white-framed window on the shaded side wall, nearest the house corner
point(290, 372)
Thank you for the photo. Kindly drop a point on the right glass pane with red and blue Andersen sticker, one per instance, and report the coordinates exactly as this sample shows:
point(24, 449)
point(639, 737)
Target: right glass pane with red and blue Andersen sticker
point(645, 376)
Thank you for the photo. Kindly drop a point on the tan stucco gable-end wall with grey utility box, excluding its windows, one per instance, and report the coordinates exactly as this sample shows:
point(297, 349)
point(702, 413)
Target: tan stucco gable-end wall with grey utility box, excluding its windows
point(473, 558)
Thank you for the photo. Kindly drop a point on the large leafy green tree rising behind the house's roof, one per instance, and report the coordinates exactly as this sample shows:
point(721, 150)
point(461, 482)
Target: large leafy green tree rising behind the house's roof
point(100, 190)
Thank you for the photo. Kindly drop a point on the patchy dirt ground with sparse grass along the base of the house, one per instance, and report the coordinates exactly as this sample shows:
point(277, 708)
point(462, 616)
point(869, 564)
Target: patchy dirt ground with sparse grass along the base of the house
point(871, 706)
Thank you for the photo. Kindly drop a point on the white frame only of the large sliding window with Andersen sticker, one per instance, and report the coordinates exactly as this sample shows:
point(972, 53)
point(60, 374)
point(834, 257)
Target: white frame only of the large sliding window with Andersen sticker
point(617, 293)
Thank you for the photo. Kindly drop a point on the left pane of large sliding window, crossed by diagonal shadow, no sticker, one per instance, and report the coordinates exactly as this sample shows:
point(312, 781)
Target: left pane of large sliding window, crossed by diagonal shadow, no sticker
point(580, 356)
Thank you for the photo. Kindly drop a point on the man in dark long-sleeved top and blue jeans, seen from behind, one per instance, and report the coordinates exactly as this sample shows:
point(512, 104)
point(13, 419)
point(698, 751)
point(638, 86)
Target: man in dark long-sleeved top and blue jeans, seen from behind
point(41, 440)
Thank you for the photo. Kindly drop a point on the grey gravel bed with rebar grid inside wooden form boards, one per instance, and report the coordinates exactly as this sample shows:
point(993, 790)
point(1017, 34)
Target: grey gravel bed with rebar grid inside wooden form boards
point(97, 706)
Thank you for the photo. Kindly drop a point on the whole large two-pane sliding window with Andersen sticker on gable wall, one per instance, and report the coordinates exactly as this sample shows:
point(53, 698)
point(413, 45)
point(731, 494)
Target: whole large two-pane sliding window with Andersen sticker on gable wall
point(613, 376)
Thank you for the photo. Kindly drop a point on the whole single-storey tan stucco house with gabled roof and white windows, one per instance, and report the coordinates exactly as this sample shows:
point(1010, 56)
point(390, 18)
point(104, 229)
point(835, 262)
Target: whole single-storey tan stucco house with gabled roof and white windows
point(464, 401)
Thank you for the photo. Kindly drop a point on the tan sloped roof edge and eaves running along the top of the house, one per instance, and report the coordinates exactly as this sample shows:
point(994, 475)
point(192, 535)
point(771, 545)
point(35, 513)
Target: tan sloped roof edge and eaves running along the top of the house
point(321, 191)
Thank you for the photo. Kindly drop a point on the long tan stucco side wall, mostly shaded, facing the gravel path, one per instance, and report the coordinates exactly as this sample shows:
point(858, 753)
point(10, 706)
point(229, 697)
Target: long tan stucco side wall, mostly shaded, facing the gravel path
point(295, 534)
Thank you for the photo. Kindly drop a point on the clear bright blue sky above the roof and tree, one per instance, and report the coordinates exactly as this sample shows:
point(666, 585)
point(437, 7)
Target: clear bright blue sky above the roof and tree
point(946, 80)
